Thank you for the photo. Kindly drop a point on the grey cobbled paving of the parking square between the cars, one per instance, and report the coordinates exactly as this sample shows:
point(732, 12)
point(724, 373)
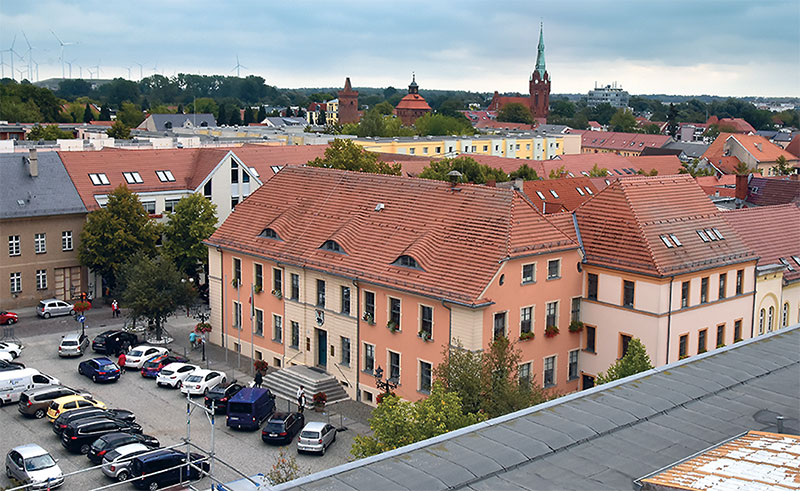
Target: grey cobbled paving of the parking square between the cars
point(161, 412)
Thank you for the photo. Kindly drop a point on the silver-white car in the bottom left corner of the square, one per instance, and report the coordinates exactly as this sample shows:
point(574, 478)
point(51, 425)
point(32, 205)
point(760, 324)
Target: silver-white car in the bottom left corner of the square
point(32, 465)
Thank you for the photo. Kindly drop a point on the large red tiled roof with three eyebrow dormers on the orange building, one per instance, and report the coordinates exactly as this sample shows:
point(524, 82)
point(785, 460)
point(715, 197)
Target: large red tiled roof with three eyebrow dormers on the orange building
point(458, 236)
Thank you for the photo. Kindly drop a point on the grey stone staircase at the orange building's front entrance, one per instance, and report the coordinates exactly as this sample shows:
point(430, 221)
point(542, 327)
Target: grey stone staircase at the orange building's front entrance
point(285, 382)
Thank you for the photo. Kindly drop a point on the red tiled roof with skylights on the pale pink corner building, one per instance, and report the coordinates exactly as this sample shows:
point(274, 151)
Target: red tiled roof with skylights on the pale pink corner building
point(621, 227)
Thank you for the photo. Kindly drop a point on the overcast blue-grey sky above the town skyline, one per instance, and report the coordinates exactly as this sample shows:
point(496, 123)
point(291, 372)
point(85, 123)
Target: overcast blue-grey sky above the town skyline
point(725, 47)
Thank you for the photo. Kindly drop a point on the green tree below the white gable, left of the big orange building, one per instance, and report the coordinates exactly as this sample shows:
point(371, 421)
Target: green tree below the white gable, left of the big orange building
point(193, 221)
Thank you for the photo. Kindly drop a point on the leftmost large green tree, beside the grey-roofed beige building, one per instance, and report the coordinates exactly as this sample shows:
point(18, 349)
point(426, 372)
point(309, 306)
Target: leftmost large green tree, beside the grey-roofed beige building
point(116, 232)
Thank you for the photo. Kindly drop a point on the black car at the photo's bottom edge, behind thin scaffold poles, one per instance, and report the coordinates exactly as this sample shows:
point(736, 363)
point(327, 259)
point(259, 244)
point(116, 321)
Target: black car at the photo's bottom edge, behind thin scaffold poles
point(145, 466)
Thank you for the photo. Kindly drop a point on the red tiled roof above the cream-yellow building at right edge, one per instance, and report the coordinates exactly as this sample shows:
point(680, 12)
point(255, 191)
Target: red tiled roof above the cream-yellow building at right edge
point(772, 232)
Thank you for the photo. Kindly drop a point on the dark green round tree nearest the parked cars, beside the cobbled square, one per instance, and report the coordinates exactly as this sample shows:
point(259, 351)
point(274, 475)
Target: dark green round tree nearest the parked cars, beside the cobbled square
point(153, 289)
